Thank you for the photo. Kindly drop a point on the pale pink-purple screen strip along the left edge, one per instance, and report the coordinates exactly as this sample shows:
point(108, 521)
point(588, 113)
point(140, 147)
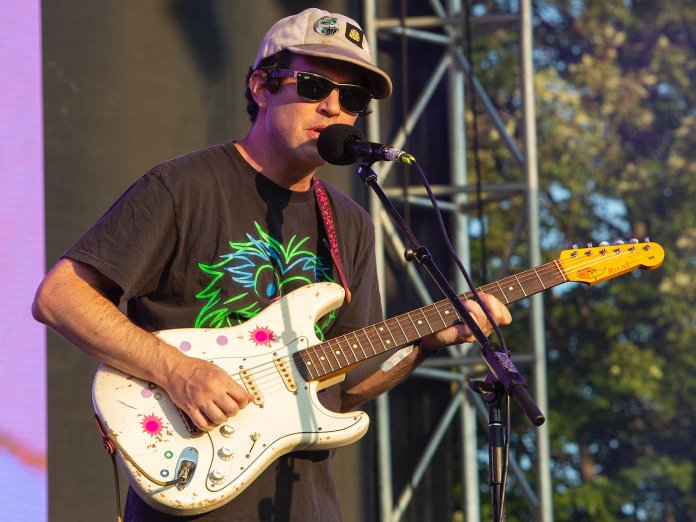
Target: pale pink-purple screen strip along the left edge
point(23, 474)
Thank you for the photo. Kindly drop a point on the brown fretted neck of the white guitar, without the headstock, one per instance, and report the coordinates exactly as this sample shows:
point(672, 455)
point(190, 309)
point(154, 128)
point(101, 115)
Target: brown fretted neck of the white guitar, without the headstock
point(336, 355)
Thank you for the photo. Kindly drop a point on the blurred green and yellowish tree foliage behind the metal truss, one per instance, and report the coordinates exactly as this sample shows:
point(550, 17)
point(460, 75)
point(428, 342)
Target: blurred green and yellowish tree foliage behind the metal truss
point(616, 113)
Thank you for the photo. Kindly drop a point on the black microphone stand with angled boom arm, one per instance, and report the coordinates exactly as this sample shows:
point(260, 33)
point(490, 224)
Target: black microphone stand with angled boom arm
point(503, 377)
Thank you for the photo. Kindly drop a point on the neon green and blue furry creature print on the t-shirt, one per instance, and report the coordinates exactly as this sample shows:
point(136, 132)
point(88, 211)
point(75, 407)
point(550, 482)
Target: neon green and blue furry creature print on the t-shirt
point(265, 269)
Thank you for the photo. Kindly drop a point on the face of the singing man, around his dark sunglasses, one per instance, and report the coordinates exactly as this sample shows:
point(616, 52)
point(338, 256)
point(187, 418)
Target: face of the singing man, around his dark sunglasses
point(293, 124)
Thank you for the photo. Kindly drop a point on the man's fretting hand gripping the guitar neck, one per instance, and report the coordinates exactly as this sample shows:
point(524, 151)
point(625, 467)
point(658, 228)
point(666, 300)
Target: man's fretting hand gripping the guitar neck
point(460, 333)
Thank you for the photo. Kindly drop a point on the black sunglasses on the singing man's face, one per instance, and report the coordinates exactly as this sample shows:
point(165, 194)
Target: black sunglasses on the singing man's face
point(315, 87)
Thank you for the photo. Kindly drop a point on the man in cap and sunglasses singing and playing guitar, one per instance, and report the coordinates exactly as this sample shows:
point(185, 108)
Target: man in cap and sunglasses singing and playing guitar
point(211, 238)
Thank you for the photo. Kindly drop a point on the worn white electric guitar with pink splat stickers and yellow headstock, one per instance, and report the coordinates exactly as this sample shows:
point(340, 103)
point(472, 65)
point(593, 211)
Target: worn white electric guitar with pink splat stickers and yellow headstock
point(276, 356)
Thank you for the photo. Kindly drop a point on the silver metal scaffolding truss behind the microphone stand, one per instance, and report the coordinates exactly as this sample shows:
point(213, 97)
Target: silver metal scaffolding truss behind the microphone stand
point(464, 407)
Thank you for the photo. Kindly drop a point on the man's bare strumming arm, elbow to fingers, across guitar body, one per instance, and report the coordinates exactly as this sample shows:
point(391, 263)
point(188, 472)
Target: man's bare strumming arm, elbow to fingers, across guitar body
point(75, 300)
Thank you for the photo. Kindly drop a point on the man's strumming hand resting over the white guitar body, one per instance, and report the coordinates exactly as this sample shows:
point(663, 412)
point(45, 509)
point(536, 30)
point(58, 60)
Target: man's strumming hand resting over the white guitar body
point(205, 392)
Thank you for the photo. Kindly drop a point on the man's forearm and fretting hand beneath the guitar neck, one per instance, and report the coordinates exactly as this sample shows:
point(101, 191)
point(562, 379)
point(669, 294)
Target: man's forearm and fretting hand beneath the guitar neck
point(365, 386)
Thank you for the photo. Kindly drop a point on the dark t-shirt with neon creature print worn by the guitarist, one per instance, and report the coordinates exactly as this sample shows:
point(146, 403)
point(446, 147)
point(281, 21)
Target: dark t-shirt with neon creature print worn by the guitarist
point(204, 240)
